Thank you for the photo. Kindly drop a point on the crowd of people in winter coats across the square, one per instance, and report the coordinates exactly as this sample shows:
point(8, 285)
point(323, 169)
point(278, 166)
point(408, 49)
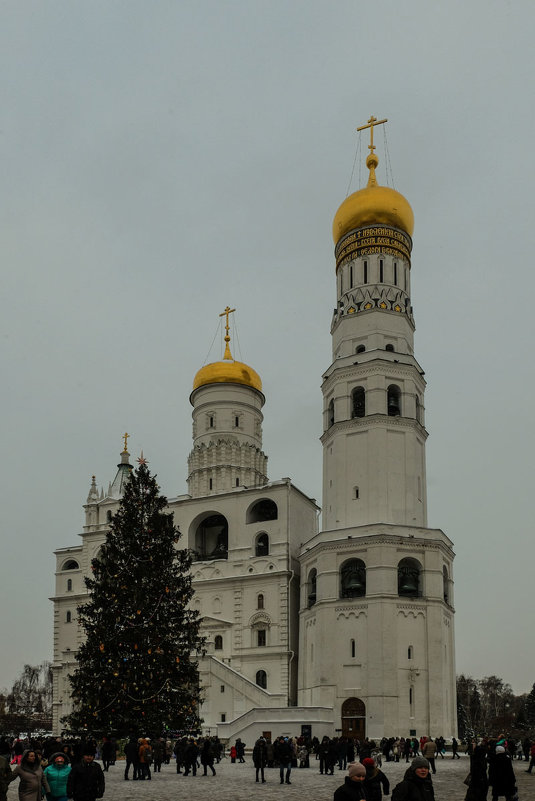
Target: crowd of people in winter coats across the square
point(64, 770)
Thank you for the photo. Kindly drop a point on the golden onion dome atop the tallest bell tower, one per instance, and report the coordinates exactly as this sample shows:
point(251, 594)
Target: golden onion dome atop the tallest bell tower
point(373, 205)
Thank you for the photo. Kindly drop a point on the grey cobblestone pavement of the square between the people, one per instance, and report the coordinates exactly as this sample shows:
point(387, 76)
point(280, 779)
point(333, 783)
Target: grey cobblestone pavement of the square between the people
point(237, 783)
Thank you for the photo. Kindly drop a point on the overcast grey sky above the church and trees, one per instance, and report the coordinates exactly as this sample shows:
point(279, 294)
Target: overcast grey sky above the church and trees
point(160, 160)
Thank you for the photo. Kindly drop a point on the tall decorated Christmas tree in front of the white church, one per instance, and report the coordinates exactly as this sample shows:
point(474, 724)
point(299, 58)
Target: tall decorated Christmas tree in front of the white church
point(136, 670)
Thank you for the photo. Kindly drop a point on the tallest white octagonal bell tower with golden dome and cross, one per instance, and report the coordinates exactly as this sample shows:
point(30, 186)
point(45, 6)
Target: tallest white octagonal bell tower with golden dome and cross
point(376, 620)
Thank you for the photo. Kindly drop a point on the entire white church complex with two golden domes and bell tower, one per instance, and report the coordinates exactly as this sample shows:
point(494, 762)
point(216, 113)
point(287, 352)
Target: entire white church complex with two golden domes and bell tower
point(347, 630)
